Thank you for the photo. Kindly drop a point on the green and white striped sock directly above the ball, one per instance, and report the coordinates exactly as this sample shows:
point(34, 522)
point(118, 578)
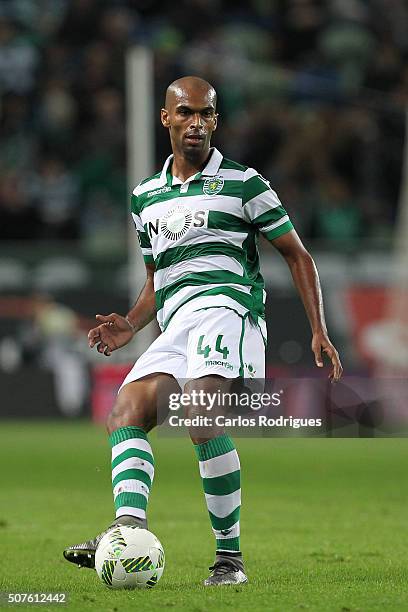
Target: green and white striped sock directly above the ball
point(132, 471)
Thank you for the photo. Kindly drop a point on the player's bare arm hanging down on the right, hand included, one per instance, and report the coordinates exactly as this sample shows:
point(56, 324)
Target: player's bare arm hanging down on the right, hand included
point(306, 280)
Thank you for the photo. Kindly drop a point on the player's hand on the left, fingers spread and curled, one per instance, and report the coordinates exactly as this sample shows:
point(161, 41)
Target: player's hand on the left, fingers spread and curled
point(112, 333)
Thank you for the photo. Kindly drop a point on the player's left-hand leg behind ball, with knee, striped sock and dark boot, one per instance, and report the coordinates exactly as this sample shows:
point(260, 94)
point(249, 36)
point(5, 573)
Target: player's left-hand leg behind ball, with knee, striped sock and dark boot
point(133, 416)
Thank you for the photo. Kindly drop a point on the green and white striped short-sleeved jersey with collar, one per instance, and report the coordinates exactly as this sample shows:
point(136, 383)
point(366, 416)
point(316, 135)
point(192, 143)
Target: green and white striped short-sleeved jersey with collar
point(202, 235)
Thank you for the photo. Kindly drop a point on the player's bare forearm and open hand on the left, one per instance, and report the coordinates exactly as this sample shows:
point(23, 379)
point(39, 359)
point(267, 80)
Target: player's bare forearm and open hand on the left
point(114, 330)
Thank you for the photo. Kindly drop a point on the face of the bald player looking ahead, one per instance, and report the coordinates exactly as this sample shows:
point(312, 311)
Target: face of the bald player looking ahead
point(191, 119)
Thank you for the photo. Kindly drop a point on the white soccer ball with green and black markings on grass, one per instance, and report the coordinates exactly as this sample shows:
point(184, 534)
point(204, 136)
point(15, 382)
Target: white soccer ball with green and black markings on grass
point(129, 558)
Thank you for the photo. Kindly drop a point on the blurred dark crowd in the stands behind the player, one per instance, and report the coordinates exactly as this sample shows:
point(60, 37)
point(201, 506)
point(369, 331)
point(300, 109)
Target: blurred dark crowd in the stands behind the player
point(311, 93)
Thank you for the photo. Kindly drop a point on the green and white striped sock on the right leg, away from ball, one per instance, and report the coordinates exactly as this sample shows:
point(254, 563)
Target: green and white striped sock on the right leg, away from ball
point(221, 475)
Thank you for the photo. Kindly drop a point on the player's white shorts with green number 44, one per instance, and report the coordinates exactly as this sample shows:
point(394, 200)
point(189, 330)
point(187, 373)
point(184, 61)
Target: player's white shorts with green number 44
point(196, 343)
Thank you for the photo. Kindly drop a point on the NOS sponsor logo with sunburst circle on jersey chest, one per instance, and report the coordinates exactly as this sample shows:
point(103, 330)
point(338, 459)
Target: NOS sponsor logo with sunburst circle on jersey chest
point(176, 223)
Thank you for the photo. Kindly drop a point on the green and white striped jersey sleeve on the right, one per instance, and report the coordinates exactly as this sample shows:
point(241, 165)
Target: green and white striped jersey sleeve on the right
point(262, 207)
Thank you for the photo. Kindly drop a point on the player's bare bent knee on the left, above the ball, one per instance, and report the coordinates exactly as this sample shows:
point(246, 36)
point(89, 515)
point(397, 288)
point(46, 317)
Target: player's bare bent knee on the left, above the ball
point(130, 410)
